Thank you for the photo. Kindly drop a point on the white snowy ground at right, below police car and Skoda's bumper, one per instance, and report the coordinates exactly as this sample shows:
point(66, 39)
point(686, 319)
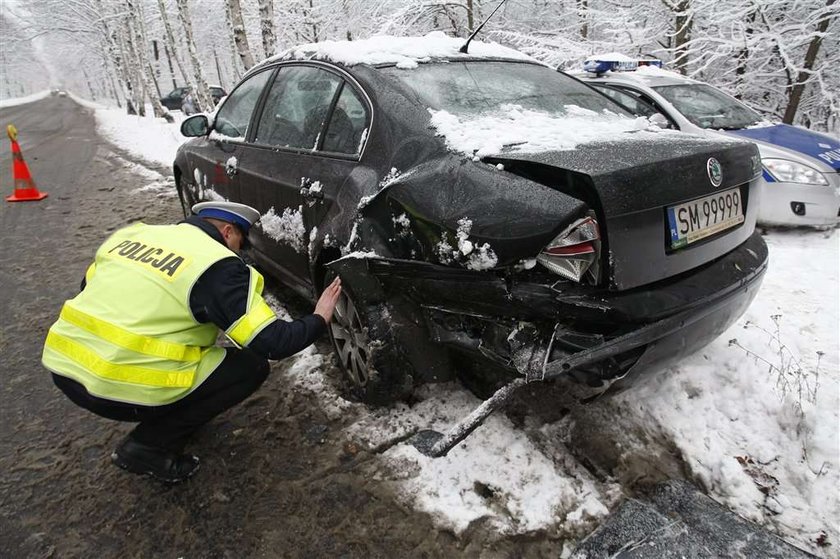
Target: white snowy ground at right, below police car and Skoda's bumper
point(756, 419)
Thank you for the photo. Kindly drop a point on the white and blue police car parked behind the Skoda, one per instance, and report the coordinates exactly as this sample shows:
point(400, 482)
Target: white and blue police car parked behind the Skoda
point(801, 167)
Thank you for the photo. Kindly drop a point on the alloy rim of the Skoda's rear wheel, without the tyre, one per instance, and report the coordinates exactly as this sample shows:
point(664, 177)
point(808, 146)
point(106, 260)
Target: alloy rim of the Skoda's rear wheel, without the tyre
point(351, 340)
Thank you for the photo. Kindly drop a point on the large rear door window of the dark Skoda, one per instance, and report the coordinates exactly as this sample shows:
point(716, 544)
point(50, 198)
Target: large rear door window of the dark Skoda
point(296, 107)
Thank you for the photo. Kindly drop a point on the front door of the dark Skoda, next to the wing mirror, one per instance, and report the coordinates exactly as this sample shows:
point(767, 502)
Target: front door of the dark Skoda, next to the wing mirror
point(215, 161)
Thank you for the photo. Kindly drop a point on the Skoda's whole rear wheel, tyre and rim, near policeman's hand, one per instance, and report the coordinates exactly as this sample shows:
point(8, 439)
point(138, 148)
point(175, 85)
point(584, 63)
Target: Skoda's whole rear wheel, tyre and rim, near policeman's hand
point(366, 351)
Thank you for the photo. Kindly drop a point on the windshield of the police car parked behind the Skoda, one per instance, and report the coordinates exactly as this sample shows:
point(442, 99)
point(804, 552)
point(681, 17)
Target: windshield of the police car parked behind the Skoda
point(707, 107)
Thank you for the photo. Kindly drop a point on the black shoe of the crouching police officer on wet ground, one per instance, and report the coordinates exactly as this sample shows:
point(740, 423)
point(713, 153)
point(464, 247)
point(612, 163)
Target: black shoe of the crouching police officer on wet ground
point(159, 463)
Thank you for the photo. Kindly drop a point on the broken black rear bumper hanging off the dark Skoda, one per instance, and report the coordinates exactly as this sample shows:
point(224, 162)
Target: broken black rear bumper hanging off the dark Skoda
point(544, 331)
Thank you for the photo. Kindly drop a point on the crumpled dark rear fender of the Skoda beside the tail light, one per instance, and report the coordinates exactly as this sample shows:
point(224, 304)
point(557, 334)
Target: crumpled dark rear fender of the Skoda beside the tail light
point(515, 216)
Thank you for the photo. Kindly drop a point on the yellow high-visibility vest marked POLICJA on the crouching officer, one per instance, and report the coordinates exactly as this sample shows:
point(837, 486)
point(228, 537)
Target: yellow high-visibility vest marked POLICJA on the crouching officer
point(130, 335)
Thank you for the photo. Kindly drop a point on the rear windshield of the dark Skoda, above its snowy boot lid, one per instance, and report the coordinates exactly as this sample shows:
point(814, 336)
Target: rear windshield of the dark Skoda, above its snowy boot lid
point(476, 87)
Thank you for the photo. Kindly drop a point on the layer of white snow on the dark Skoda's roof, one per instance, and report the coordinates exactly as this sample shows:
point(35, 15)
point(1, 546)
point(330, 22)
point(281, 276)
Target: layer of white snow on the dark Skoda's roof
point(405, 52)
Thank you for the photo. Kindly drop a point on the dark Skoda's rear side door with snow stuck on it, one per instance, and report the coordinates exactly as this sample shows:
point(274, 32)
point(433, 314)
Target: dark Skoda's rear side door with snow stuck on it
point(306, 143)
